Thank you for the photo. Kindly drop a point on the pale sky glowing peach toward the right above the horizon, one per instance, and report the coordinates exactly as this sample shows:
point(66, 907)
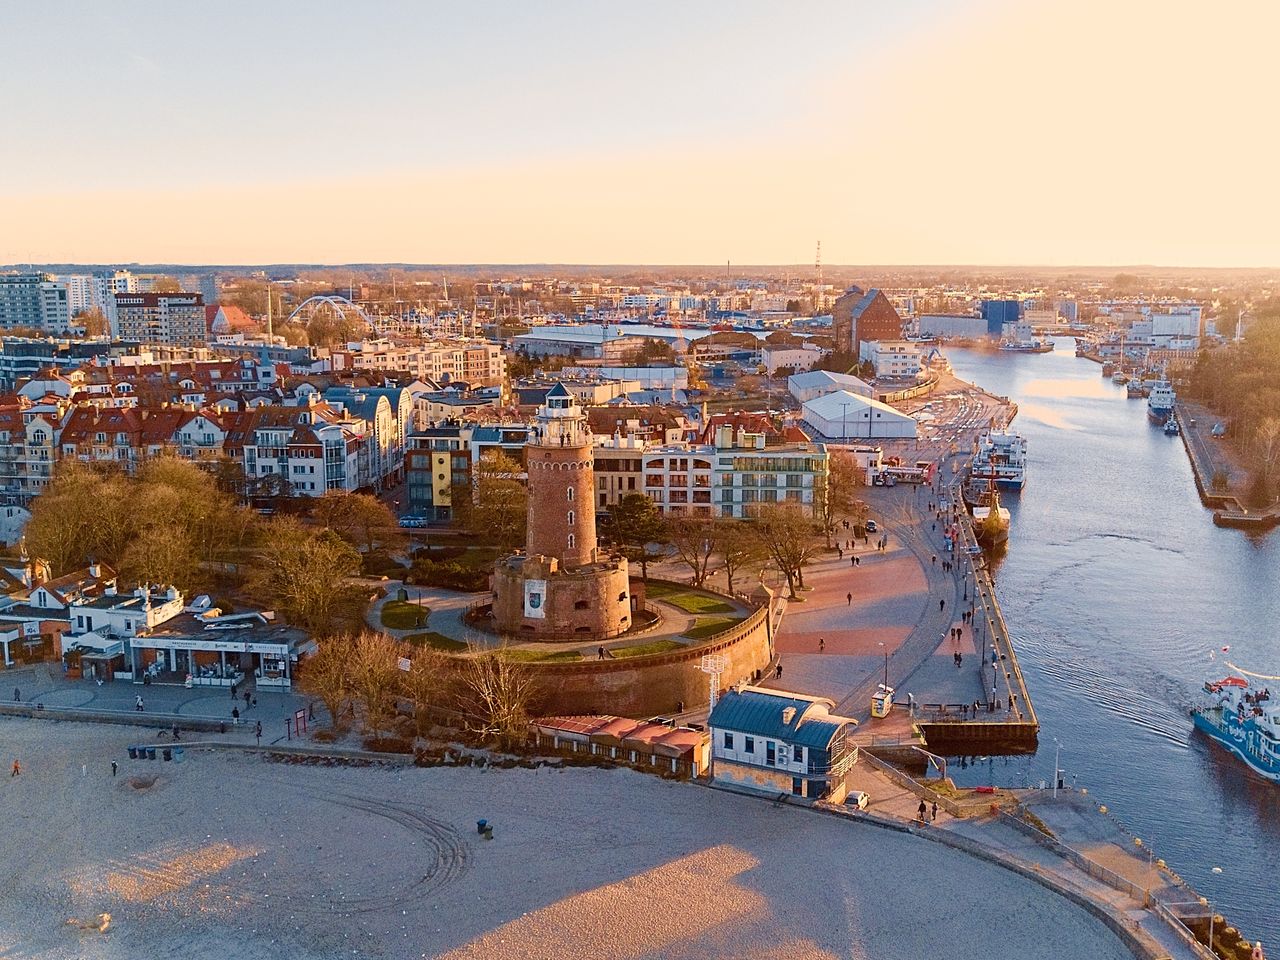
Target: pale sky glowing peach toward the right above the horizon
point(1058, 132)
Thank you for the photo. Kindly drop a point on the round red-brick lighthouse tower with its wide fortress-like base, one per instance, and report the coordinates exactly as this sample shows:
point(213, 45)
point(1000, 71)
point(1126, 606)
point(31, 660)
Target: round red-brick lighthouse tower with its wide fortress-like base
point(560, 588)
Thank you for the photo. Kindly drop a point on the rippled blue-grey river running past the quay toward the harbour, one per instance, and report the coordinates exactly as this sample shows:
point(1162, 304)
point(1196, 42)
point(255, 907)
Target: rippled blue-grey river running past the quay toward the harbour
point(1118, 588)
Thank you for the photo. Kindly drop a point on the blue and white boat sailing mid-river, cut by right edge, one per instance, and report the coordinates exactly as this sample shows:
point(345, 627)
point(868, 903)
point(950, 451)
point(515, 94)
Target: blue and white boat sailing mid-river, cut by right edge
point(1240, 715)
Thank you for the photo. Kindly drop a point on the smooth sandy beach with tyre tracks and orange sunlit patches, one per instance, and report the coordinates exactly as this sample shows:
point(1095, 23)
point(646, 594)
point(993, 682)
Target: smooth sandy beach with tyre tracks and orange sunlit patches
point(234, 857)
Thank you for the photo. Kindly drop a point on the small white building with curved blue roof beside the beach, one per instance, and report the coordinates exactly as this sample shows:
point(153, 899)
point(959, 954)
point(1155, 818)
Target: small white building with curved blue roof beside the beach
point(781, 743)
